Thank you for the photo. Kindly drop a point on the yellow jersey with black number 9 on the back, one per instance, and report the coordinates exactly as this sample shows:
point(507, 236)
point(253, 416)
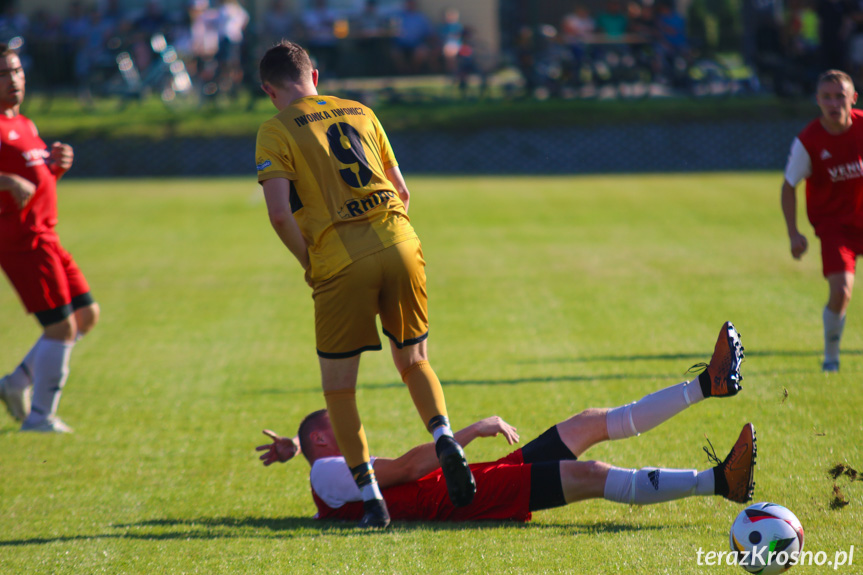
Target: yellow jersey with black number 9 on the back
point(335, 153)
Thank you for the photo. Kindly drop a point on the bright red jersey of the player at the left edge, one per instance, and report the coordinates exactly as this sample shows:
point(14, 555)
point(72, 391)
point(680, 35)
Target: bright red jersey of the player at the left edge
point(23, 153)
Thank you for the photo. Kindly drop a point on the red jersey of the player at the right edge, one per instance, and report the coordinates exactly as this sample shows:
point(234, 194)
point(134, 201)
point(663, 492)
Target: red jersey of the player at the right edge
point(834, 189)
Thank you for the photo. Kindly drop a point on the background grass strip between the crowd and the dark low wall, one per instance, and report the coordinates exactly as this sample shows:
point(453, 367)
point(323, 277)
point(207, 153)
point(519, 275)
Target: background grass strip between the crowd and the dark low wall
point(66, 118)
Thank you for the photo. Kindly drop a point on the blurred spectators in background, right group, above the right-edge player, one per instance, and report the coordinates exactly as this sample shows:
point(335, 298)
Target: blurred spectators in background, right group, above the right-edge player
point(786, 43)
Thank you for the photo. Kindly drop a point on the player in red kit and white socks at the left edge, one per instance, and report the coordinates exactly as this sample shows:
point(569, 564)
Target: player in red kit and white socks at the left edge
point(45, 276)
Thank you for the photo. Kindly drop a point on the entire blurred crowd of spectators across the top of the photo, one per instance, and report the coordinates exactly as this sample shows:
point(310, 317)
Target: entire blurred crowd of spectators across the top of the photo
point(585, 41)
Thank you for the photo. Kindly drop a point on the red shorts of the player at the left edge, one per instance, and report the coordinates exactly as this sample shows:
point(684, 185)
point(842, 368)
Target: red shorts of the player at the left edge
point(46, 278)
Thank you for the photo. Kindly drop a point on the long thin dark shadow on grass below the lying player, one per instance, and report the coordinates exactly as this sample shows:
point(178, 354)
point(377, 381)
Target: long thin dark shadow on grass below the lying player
point(303, 527)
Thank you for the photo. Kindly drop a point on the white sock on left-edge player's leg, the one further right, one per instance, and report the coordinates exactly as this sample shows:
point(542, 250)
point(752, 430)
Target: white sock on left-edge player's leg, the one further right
point(50, 370)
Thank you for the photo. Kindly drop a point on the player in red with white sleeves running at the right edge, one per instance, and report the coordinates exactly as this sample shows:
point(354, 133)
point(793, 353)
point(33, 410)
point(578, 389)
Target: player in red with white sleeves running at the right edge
point(828, 154)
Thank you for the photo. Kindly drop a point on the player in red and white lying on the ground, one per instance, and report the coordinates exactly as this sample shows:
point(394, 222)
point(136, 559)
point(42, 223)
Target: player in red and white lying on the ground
point(544, 473)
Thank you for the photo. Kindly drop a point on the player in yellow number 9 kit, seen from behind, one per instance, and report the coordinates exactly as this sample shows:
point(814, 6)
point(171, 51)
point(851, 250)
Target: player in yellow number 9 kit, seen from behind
point(337, 199)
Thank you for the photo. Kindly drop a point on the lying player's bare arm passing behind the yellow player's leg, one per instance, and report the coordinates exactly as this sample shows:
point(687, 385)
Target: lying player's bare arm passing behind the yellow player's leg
point(422, 460)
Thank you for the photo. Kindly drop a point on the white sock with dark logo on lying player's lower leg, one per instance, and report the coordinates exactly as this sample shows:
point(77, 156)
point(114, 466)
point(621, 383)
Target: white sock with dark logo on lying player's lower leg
point(654, 485)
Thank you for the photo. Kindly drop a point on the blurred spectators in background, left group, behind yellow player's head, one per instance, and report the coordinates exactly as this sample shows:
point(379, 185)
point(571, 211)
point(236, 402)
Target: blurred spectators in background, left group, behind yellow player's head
point(219, 43)
